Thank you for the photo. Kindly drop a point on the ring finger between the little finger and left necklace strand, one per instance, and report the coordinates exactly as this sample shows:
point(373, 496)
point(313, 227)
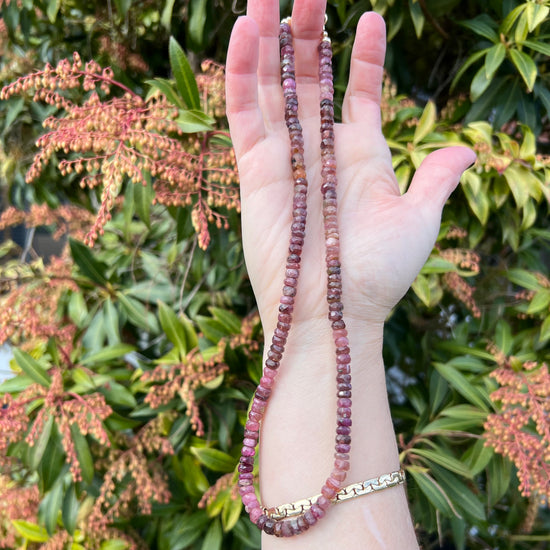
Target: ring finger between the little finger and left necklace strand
point(266, 15)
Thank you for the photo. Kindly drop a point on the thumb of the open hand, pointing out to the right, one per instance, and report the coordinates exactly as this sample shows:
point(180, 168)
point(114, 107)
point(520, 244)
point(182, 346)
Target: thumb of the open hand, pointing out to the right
point(437, 177)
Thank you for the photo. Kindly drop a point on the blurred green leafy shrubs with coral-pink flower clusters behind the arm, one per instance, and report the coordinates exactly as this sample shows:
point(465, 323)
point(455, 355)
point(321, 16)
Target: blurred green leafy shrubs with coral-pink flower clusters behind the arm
point(134, 360)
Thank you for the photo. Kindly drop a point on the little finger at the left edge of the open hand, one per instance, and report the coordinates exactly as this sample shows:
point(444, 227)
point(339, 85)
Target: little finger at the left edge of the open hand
point(243, 112)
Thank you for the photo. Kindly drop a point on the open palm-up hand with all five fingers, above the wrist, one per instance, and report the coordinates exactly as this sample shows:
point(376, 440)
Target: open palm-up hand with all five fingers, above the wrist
point(385, 237)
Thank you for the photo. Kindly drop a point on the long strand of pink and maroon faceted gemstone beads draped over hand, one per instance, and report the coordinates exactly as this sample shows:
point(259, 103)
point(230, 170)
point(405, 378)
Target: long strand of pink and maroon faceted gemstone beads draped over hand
point(271, 521)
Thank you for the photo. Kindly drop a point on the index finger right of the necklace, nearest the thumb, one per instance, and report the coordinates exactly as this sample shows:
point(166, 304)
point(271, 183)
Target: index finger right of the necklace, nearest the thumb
point(362, 99)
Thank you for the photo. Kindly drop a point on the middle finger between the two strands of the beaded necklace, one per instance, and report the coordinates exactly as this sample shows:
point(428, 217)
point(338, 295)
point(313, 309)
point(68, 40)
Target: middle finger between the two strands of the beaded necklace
point(307, 27)
